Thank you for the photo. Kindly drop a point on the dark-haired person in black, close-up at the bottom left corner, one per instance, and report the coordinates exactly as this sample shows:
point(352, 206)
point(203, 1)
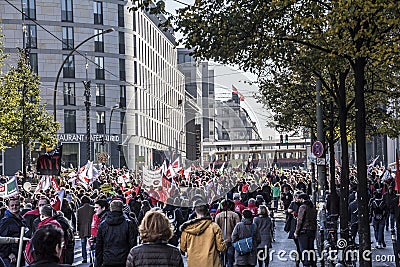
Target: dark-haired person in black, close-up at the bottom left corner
point(48, 244)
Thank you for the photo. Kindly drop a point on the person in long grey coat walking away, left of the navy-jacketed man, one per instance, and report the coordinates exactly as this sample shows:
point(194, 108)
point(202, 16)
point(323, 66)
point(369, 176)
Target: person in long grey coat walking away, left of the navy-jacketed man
point(84, 219)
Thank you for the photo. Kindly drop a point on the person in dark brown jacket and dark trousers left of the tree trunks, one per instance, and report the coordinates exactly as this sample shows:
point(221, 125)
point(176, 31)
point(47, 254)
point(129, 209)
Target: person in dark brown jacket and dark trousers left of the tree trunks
point(306, 230)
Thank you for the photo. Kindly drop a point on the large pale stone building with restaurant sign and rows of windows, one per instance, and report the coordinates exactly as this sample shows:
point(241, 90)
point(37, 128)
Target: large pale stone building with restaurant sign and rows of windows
point(136, 89)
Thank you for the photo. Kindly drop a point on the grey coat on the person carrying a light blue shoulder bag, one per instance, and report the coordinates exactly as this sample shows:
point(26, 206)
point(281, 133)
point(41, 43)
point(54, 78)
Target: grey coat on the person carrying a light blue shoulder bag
point(243, 230)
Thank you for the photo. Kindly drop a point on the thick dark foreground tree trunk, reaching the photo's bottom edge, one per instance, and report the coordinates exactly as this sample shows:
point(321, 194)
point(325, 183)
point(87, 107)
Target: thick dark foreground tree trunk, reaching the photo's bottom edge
point(362, 196)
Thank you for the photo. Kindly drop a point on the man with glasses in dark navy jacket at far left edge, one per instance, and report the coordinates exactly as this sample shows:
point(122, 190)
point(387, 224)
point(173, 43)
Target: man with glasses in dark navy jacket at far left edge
point(10, 226)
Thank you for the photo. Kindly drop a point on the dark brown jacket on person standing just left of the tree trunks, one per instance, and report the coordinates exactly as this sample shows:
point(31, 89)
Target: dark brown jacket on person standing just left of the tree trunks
point(307, 217)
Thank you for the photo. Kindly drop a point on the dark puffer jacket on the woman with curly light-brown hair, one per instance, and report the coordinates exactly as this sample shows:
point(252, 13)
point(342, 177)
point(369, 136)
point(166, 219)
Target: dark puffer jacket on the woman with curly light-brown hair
point(155, 254)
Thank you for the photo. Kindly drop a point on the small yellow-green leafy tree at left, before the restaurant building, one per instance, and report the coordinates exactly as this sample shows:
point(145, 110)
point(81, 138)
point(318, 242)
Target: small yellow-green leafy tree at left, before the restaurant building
point(23, 119)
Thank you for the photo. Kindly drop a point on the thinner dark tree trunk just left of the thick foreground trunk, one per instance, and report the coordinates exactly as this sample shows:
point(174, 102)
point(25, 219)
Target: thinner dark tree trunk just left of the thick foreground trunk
point(344, 174)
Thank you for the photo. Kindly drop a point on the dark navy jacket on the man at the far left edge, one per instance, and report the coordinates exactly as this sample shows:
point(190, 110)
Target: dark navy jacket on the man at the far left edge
point(10, 226)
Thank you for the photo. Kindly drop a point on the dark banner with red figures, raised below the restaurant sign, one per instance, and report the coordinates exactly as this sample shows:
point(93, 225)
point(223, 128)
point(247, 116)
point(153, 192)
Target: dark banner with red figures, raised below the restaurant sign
point(50, 163)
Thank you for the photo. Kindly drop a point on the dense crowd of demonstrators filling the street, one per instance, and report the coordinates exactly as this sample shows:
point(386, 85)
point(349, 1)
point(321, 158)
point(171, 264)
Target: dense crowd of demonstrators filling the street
point(128, 224)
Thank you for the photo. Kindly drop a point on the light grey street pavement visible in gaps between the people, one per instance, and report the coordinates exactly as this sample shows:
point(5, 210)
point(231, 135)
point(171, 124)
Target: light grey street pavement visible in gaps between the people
point(281, 248)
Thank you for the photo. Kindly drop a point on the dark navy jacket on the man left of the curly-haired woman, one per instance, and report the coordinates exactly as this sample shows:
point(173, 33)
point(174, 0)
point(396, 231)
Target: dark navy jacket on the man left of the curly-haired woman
point(115, 237)
